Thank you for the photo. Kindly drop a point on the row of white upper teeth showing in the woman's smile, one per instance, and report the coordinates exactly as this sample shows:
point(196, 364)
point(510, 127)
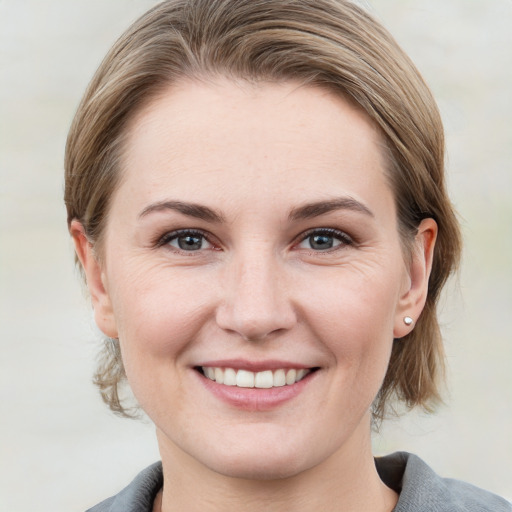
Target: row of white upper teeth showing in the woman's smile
point(246, 379)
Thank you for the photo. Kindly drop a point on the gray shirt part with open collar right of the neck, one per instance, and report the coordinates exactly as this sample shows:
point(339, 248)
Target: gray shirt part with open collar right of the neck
point(421, 489)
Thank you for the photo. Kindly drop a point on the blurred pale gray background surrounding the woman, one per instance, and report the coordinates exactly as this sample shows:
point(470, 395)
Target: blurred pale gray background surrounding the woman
point(60, 448)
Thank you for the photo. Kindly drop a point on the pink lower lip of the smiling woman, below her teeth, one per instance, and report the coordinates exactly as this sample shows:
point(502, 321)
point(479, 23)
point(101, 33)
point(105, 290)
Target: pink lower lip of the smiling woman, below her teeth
point(256, 399)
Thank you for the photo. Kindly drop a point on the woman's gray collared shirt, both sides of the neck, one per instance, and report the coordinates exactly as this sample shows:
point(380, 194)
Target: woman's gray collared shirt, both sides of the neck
point(420, 490)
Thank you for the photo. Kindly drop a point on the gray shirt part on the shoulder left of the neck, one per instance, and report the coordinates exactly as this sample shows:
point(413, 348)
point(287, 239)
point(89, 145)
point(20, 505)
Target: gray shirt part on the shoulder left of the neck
point(138, 496)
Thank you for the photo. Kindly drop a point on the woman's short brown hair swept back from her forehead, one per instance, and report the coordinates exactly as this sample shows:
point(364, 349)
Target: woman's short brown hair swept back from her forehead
point(328, 43)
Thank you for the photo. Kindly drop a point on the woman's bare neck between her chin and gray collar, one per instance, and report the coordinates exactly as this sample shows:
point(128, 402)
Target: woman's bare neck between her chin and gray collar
point(346, 481)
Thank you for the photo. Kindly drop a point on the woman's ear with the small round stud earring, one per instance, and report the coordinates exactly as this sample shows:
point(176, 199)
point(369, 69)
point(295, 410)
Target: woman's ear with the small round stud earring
point(414, 295)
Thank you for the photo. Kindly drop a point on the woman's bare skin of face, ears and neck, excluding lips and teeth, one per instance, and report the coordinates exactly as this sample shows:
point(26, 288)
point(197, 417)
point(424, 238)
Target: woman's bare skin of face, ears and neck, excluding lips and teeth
point(257, 289)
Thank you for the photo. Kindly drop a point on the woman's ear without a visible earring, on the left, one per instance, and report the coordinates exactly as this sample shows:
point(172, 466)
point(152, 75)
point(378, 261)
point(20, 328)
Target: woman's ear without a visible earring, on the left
point(103, 311)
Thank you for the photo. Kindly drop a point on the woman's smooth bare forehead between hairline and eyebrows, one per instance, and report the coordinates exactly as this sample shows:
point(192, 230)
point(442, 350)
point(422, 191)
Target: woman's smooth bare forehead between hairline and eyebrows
point(201, 139)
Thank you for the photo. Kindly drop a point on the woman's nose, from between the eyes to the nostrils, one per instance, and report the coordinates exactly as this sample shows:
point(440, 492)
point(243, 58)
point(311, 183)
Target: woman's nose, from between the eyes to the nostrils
point(256, 302)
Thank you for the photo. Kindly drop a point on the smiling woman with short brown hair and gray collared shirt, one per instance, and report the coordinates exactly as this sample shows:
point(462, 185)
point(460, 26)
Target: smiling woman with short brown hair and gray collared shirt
point(255, 191)
